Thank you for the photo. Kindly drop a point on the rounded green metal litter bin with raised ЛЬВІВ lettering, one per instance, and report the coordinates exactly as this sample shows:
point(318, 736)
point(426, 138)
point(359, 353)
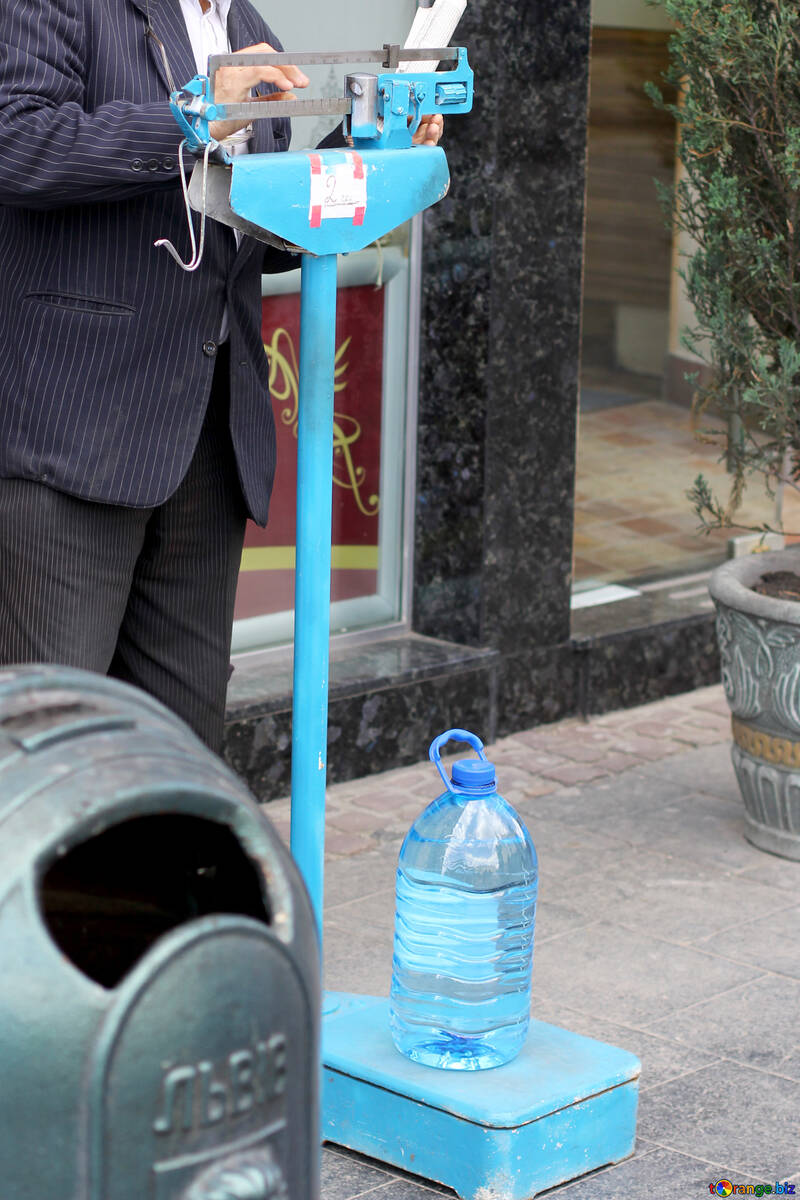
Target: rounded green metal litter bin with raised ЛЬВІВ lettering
point(159, 962)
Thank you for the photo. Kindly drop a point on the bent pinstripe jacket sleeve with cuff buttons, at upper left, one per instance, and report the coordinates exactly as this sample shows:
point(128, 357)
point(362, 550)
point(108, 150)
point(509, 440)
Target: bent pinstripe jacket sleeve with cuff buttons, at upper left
point(52, 152)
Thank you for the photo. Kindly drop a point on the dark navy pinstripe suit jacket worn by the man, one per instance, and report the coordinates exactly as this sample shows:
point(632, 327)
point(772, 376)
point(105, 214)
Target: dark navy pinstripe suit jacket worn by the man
point(105, 376)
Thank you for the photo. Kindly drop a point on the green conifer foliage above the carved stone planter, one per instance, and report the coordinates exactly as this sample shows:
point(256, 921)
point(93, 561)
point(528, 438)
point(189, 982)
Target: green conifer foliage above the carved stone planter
point(738, 63)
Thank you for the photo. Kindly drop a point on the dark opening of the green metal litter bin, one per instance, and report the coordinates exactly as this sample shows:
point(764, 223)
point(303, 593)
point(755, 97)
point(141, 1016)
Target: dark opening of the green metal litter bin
point(111, 898)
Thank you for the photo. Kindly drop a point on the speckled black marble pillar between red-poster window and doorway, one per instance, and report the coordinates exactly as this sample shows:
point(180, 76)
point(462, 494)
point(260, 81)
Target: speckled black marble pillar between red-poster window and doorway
point(501, 344)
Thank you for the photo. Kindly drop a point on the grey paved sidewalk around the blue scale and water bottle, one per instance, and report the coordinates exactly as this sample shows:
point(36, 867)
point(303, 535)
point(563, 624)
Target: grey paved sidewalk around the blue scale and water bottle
point(660, 929)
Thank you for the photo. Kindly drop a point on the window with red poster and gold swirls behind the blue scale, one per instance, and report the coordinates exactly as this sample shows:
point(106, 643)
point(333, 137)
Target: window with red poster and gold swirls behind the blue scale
point(375, 351)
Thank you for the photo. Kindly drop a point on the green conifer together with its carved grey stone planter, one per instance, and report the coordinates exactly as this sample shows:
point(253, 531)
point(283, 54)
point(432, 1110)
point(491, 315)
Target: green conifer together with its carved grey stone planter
point(738, 68)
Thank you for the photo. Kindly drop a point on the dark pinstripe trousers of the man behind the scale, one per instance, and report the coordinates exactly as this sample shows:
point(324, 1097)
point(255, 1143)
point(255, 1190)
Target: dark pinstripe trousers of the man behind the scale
point(142, 595)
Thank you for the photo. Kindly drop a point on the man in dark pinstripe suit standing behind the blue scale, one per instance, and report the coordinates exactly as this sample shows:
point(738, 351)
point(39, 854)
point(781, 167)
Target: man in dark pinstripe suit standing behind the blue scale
point(136, 431)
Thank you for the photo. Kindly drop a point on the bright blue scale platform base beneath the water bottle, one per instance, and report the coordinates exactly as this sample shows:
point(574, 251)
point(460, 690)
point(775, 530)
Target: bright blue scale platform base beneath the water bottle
point(564, 1107)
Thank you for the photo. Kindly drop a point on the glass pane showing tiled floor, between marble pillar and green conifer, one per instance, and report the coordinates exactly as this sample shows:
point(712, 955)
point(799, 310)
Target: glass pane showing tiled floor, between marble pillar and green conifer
point(637, 453)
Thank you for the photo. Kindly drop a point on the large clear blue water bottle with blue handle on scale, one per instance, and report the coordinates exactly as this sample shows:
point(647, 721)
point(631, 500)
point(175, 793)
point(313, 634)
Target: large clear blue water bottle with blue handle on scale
point(465, 923)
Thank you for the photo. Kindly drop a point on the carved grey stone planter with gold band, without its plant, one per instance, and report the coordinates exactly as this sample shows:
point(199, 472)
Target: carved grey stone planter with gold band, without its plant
point(760, 646)
